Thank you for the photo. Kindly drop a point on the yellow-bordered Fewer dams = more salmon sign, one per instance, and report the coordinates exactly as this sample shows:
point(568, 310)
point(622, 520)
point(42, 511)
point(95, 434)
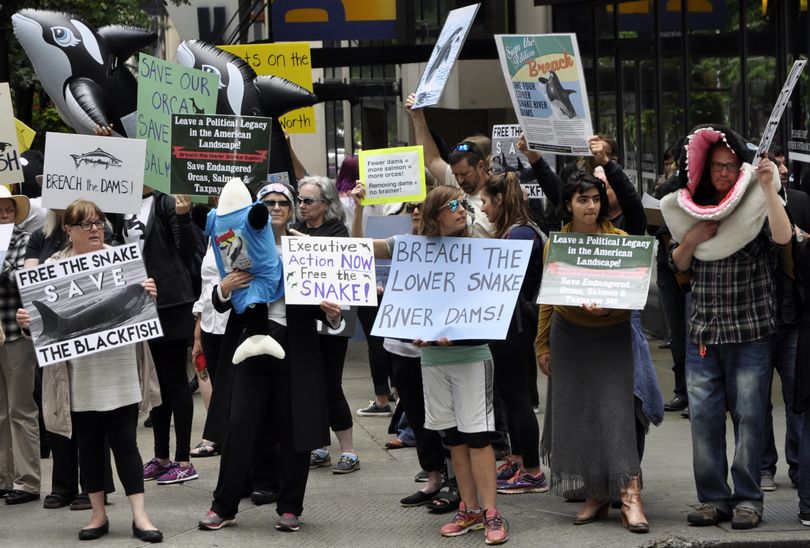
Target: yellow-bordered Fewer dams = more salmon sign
point(393, 175)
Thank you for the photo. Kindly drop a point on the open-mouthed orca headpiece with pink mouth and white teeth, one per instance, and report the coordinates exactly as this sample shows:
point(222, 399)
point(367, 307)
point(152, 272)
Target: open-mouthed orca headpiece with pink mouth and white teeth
point(741, 213)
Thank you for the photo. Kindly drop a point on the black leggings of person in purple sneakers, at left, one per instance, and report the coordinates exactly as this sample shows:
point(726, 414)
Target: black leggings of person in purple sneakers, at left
point(170, 363)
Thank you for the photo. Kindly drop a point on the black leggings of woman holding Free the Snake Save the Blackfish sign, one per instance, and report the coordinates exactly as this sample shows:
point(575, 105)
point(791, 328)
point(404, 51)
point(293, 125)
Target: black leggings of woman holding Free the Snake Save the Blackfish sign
point(118, 426)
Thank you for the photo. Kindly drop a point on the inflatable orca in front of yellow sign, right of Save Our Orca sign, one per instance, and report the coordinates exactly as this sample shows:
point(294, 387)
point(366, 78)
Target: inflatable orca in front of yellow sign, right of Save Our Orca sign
point(241, 91)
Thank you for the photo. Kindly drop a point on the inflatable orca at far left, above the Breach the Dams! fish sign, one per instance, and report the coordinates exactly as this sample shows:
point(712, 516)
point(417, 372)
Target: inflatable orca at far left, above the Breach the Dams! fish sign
point(82, 69)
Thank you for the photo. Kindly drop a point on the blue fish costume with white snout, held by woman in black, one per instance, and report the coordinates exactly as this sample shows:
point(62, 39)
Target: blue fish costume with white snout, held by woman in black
point(243, 240)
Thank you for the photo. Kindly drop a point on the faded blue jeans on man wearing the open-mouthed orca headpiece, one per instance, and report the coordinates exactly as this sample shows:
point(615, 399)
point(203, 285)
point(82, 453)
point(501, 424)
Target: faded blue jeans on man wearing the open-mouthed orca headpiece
point(736, 375)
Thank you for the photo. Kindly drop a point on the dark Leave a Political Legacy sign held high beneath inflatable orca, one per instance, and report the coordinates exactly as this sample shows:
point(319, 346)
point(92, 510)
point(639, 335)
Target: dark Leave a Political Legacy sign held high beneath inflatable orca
point(209, 150)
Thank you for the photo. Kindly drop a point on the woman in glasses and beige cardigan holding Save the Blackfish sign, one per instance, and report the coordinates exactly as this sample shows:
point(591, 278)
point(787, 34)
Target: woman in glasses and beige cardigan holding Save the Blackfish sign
point(103, 392)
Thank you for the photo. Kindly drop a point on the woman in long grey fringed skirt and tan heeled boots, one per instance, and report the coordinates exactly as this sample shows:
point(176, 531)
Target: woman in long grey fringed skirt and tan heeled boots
point(589, 434)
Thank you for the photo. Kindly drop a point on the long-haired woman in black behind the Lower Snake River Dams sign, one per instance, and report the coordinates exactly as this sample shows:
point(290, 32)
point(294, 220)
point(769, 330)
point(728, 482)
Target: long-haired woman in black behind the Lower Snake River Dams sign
point(515, 368)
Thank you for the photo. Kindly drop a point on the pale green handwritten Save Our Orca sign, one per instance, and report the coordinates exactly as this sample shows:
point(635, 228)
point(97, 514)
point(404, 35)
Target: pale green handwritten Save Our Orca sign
point(164, 89)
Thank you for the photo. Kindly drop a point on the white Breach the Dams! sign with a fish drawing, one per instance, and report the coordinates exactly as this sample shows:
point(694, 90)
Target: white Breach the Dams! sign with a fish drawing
point(105, 170)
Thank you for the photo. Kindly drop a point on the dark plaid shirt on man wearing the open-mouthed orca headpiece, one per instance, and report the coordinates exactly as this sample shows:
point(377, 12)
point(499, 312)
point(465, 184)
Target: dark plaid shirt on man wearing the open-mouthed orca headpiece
point(734, 299)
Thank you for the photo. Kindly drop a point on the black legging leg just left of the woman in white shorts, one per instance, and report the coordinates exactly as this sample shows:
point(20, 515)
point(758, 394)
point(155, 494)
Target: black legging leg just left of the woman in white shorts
point(408, 380)
